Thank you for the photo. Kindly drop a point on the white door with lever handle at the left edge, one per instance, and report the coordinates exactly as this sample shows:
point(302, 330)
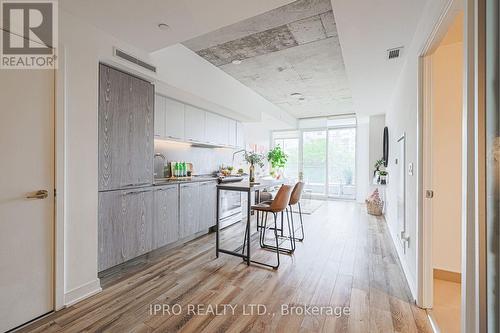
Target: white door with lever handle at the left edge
point(26, 166)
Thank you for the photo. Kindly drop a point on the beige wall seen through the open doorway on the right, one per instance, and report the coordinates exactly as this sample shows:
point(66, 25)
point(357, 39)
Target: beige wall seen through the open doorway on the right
point(447, 64)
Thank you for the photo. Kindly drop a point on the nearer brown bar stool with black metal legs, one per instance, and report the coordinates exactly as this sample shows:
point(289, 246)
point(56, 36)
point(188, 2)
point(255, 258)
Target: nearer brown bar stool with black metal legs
point(278, 205)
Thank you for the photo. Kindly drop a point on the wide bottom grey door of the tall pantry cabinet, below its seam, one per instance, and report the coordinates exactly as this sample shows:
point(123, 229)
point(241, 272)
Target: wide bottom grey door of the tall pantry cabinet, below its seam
point(125, 225)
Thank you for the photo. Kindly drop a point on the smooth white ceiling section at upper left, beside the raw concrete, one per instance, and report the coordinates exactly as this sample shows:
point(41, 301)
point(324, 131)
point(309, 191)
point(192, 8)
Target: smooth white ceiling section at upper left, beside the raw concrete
point(136, 21)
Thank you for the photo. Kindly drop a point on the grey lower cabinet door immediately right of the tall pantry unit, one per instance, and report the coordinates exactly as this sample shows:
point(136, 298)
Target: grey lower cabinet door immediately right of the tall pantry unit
point(166, 219)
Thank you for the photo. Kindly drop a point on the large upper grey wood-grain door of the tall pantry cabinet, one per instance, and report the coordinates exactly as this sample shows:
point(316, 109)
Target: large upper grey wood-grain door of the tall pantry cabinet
point(126, 114)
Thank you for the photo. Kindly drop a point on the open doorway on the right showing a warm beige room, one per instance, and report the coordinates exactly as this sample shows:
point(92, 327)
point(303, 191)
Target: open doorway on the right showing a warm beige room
point(442, 173)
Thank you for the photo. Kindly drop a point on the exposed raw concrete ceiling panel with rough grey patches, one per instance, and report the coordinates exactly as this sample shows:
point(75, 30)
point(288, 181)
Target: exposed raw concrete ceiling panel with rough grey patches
point(288, 50)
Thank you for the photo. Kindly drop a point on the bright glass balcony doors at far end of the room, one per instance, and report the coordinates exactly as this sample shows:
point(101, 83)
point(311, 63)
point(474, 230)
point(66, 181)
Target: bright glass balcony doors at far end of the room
point(323, 157)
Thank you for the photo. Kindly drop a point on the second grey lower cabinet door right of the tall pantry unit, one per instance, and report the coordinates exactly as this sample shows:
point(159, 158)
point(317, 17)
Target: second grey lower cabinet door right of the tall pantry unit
point(189, 209)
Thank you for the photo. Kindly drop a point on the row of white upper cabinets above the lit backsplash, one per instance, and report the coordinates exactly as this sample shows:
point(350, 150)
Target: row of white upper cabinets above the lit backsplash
point(175, 120)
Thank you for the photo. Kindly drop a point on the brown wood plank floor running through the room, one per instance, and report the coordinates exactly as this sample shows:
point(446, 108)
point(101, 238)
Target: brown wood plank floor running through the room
point(346, 261)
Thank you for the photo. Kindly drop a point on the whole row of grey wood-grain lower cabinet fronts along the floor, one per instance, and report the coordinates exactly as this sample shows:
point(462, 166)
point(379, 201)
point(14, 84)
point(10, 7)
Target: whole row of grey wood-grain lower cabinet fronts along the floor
point(136, 221)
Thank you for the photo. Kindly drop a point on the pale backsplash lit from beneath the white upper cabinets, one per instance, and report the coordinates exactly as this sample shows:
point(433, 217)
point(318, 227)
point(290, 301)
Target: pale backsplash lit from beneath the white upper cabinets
point(205, 160)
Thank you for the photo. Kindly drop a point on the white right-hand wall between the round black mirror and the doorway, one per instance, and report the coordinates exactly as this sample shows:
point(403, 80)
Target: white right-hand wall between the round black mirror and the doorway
point(402, 117)
